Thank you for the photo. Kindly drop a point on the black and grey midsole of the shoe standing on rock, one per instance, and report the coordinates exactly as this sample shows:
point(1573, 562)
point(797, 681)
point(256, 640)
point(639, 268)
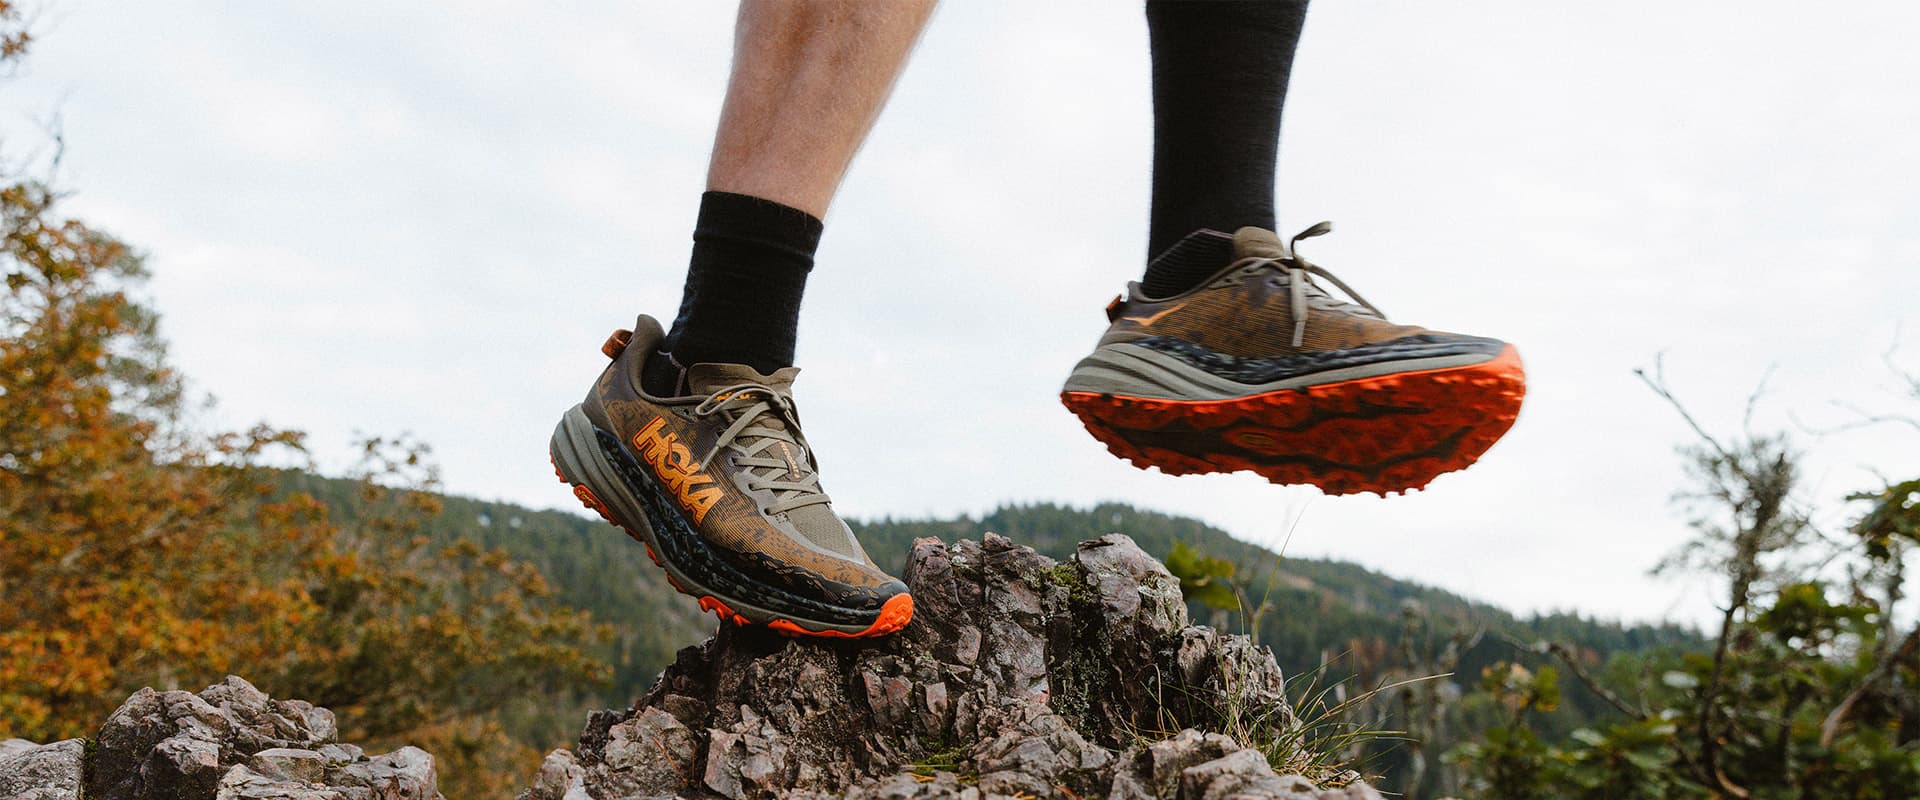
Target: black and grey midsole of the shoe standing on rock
point(592, 458)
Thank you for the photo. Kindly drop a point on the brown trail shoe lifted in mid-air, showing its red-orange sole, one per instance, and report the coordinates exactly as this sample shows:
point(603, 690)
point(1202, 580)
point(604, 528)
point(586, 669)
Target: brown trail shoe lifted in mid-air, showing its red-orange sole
point(1260, 369)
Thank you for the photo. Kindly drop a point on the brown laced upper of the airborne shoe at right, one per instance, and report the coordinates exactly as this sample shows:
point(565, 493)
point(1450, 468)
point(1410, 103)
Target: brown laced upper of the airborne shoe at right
point(1262, 304)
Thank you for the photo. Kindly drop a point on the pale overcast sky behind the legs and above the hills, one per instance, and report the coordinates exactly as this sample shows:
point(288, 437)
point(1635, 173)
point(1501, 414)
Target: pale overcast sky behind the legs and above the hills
point(425, 216)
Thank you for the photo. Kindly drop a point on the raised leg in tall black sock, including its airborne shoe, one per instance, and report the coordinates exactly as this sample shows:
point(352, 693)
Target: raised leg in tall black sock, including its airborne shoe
point(1230, 356)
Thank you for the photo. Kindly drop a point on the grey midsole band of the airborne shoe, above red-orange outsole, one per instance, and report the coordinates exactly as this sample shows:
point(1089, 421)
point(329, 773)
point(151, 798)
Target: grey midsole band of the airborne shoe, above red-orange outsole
point(1132, 369)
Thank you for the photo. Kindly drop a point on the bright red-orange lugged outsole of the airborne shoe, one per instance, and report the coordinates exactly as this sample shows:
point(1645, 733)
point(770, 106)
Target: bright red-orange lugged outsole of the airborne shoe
point(1383, 435)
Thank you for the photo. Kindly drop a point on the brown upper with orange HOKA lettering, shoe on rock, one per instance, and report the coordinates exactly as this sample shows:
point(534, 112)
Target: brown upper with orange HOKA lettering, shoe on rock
point(738, 469)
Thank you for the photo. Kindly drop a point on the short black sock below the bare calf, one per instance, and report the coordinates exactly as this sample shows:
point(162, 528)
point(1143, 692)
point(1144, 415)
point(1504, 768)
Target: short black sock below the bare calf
point(742, 302)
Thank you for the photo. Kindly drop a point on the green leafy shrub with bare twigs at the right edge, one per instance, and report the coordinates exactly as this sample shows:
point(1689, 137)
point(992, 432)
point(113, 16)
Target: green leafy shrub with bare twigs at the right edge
point(1810, 690)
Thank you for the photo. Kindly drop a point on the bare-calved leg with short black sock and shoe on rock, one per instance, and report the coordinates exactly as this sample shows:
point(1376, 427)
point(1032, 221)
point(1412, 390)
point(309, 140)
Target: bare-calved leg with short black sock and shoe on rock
point(690, 440)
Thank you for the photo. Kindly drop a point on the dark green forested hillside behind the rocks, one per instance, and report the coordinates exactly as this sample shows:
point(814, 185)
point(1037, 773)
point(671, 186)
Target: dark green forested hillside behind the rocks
point(1328, 623)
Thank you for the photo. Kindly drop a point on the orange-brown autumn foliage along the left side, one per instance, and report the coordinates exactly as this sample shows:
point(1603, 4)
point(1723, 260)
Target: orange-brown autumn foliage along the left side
point(139, 552)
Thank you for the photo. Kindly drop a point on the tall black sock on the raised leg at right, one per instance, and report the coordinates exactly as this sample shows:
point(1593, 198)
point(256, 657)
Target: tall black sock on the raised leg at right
point(1220, 82)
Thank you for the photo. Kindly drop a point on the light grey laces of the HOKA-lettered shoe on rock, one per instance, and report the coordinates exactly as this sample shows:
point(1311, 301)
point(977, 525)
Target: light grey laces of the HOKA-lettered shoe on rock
point(752, 438)
